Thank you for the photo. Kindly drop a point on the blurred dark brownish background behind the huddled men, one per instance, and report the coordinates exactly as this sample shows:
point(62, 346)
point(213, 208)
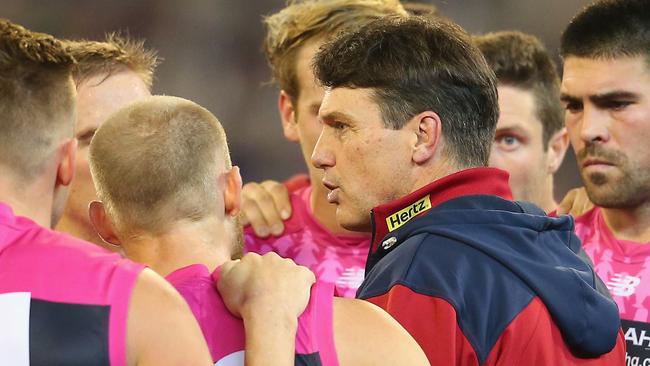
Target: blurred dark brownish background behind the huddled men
point(212, 55)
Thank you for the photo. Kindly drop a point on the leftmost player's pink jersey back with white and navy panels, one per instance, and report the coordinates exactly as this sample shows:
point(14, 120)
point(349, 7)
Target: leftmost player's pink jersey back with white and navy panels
point(62, 300)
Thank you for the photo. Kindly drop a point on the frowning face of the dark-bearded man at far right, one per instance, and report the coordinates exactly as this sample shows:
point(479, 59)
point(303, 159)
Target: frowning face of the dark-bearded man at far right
point(607, 105)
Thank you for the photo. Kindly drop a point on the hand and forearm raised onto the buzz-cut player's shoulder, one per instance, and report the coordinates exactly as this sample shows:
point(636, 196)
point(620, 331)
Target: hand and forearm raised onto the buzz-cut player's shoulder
point(269, 293)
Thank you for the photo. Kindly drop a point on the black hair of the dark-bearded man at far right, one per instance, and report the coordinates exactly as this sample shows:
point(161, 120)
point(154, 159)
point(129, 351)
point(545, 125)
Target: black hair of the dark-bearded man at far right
point(609, 29)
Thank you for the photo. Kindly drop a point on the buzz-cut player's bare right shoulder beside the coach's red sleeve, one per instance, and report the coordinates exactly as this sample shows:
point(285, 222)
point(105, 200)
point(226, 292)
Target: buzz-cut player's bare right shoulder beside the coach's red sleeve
point(364, 334)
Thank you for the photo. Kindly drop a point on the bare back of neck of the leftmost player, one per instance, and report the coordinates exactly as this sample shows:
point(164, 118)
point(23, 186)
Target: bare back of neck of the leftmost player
point(30, 201)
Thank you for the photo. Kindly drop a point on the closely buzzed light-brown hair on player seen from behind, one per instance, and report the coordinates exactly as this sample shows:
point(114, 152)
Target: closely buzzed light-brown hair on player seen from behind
point(156, 162)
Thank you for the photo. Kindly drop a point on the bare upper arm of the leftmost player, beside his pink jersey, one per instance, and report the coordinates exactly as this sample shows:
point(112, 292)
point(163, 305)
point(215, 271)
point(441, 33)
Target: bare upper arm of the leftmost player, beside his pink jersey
point(161, 329)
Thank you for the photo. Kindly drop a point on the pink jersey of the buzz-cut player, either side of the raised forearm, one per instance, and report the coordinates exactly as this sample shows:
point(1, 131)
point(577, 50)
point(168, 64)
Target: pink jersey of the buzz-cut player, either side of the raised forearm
point(224, 333)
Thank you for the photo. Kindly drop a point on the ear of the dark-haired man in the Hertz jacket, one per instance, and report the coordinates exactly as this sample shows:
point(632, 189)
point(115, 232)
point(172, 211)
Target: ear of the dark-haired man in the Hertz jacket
point(428, 130)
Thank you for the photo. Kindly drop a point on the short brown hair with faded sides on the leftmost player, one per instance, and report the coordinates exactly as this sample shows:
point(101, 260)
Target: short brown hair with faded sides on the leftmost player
point(37, 99)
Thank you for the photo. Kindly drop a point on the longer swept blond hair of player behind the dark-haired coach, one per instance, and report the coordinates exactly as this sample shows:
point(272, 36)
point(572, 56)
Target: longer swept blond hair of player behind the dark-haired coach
point(303, 21)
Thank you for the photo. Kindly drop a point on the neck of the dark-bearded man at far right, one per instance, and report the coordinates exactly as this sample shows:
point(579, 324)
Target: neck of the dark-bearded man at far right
point(629, 224)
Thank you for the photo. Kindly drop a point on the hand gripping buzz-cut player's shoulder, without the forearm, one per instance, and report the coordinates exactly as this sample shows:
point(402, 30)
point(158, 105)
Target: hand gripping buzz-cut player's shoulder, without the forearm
point(265, 286)
